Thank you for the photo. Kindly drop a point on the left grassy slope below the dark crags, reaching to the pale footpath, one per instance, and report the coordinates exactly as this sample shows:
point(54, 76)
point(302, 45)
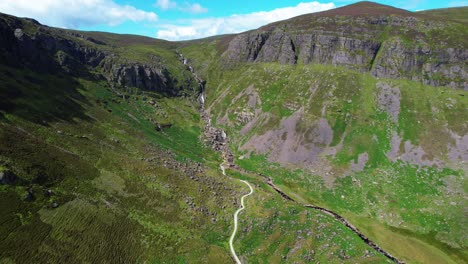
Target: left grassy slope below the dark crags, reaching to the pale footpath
point(105, 164)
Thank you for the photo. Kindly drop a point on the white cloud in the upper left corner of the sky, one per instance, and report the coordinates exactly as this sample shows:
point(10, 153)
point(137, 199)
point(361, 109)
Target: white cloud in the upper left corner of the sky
point(76, 13)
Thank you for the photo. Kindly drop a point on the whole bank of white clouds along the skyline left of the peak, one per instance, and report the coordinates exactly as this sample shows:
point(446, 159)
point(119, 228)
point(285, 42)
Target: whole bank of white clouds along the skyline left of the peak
point(78, 14)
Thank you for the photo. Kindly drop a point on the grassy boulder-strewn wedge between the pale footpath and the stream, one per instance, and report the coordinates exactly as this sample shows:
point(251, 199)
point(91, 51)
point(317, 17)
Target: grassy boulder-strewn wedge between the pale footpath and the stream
point(280, 231)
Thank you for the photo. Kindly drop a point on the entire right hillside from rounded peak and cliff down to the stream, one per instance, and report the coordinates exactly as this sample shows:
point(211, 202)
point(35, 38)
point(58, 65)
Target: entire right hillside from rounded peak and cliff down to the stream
point(336, 108)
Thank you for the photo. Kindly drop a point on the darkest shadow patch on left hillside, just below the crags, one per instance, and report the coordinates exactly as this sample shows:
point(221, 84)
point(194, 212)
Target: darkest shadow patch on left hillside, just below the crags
point(40, 97)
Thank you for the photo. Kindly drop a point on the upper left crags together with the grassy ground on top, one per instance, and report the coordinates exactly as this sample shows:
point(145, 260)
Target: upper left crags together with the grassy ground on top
point(133, 62)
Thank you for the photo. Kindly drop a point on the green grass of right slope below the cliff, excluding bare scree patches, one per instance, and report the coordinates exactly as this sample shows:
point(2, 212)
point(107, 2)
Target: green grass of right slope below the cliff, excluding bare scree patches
point(396, 201)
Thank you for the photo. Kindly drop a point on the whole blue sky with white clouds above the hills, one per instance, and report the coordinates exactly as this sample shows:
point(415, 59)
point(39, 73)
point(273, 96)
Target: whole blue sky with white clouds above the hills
point(182, 19)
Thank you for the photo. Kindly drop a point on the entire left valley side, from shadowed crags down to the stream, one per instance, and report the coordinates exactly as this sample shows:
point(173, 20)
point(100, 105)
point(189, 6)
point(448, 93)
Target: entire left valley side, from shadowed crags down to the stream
point(102, 161)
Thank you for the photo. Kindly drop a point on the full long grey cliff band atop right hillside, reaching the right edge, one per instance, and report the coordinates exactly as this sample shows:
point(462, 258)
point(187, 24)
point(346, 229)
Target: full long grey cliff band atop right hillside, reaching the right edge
point(381, 45)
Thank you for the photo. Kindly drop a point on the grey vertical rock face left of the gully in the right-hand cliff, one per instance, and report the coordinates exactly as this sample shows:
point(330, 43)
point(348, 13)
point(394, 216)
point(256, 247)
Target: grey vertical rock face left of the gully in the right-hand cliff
point(317, 47)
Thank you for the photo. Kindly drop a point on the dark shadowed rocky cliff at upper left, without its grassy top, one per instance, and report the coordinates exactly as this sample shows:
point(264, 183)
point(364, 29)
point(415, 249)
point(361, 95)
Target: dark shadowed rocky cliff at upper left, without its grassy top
point(26, 43)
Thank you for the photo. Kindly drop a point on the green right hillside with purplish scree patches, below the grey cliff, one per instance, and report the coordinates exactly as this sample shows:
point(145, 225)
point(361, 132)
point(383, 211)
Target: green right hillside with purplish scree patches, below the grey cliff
point(385, 153)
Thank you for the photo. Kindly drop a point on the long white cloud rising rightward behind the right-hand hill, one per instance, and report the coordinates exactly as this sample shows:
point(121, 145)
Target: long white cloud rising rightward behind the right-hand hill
point(199, 28)
